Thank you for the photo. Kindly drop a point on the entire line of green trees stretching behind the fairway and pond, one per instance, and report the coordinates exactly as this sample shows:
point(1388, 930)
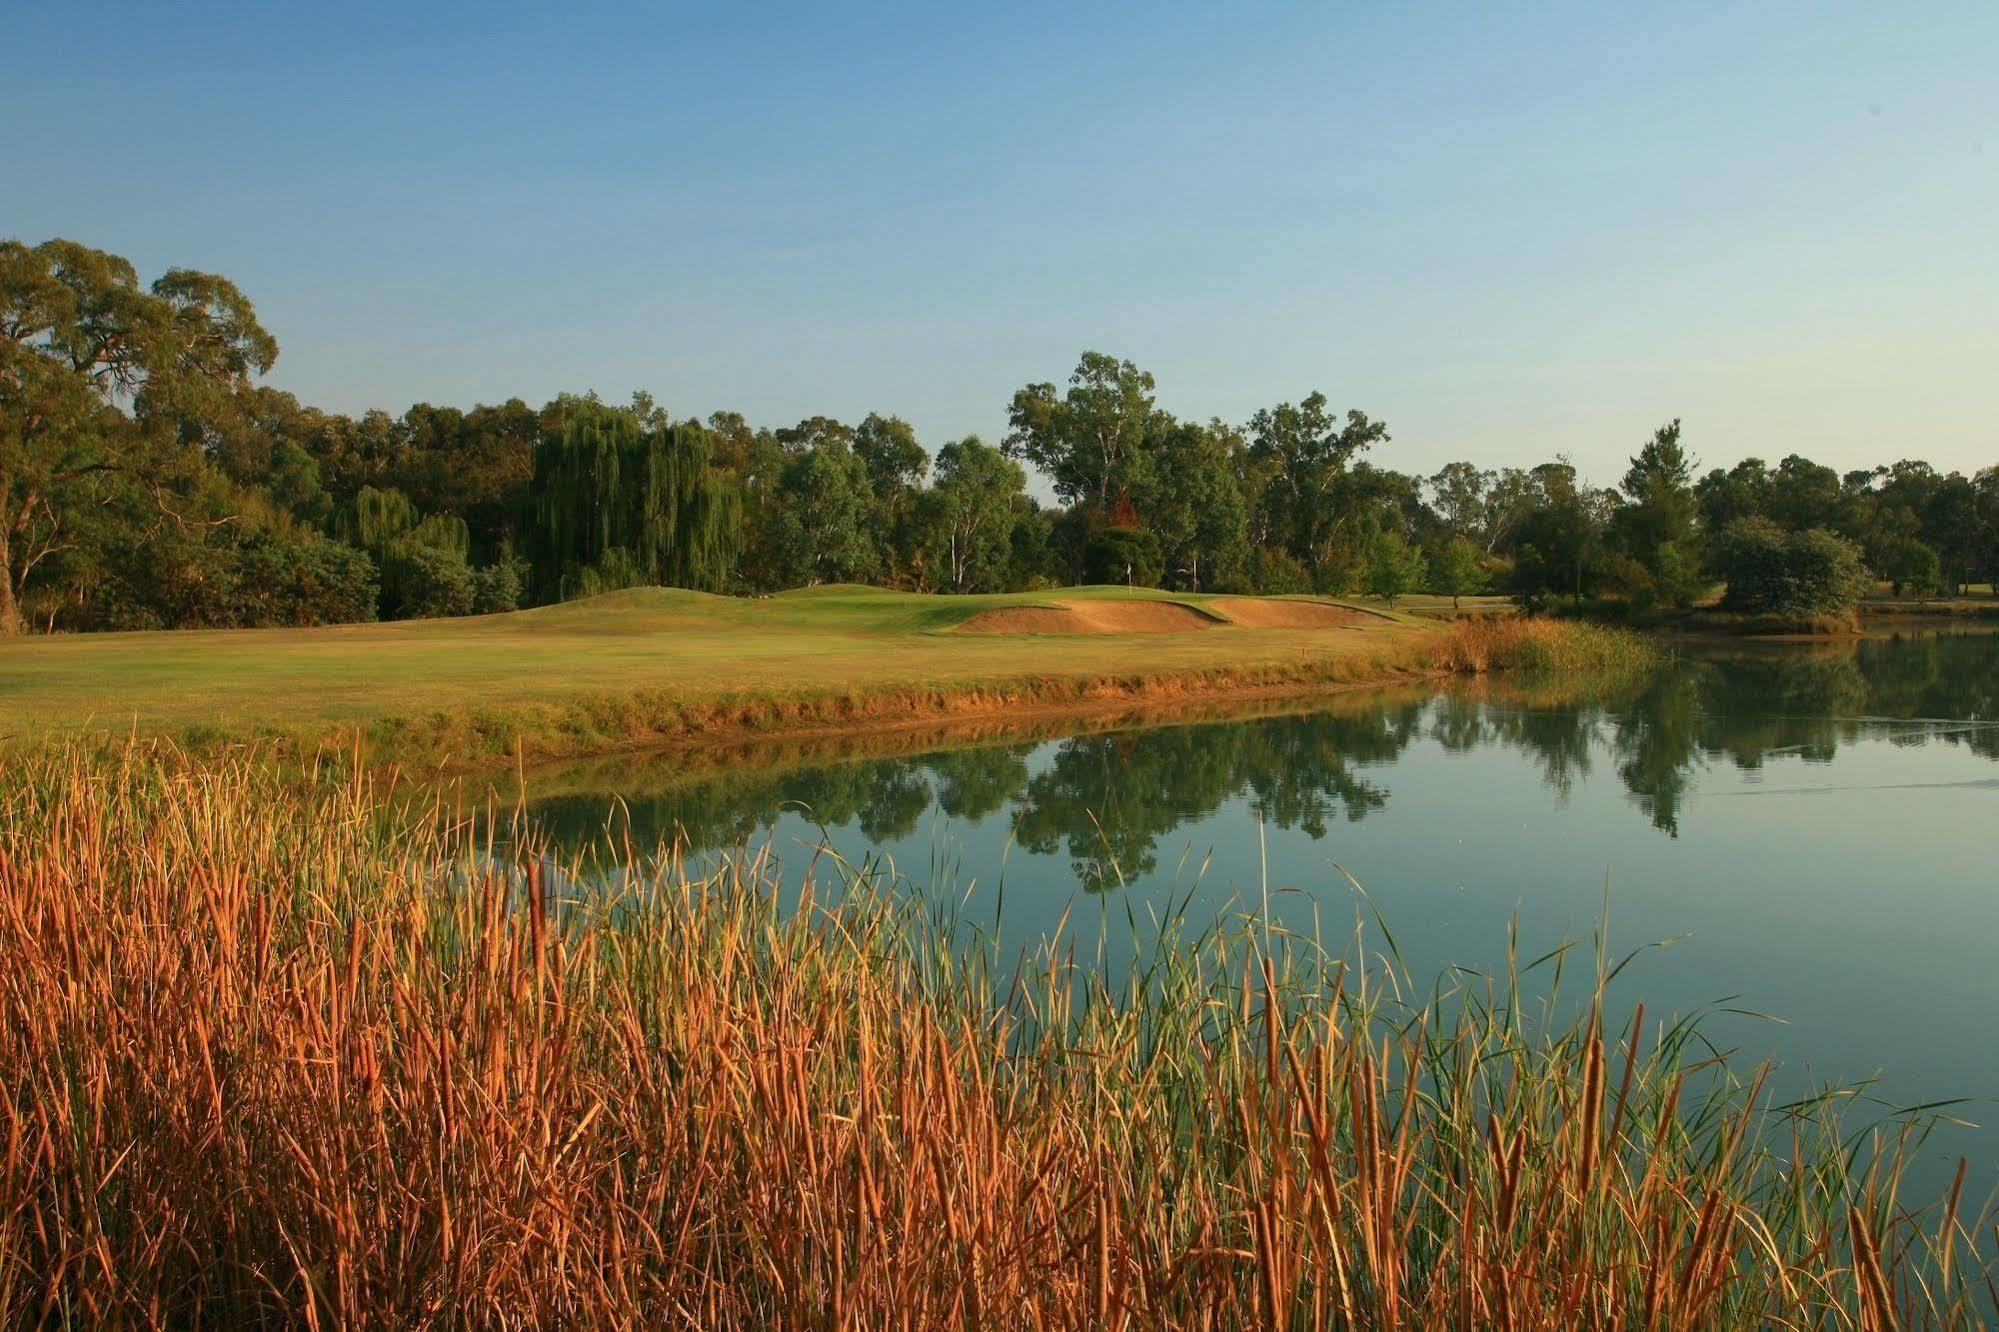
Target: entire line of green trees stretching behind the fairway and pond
point(151, 481)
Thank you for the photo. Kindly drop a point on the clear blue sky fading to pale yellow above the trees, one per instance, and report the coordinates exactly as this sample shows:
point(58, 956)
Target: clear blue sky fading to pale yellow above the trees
point(1508, 233)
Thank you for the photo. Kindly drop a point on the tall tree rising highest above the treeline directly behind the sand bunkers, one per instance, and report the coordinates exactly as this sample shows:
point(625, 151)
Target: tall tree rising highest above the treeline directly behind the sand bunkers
point(1090, 443)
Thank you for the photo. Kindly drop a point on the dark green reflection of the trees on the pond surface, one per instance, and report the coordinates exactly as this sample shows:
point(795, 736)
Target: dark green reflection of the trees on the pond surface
point(1110, 799)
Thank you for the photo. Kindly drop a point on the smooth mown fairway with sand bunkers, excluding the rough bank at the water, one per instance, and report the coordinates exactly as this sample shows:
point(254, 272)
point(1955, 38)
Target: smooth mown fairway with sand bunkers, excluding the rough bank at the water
point(687, 647)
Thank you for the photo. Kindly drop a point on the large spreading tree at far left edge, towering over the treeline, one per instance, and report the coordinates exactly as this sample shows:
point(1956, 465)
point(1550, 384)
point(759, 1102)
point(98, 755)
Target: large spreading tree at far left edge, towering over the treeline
point(101, 377)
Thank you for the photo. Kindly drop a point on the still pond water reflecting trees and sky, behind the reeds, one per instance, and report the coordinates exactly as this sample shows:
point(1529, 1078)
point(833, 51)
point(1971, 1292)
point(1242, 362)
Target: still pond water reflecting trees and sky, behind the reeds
point(1814, 827)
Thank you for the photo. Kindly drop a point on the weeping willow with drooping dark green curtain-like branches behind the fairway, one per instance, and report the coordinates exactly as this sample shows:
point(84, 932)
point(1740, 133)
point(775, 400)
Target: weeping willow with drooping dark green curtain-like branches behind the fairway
point(617, 505)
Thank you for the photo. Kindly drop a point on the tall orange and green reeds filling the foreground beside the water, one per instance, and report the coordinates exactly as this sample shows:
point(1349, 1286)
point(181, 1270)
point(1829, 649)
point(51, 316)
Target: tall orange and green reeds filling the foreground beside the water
point(293, 1055)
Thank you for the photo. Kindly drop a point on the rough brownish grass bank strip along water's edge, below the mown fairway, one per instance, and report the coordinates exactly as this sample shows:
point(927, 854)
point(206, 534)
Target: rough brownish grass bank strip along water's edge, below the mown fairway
point(1010, 689)
